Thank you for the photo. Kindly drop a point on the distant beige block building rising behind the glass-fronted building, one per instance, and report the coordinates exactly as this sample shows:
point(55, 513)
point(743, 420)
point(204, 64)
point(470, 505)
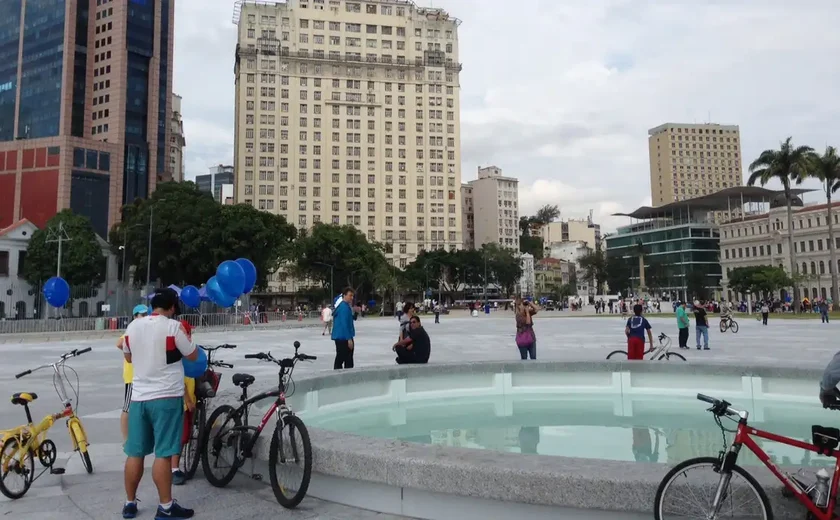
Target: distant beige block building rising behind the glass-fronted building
point(688, 161)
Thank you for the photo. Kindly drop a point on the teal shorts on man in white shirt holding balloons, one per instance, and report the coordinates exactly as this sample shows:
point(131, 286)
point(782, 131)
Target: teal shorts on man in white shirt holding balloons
point(155, 426)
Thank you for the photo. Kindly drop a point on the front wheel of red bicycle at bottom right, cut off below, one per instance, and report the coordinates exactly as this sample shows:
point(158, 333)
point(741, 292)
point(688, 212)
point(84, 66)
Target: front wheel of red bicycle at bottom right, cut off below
point(679, 497)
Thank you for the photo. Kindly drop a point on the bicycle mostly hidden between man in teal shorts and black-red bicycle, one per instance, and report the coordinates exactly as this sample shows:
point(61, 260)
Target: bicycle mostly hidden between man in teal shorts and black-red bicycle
point(205, 389)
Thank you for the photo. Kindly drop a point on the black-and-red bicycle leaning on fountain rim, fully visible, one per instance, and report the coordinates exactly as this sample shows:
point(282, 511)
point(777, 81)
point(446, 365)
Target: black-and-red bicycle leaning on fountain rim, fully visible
point(229, 439)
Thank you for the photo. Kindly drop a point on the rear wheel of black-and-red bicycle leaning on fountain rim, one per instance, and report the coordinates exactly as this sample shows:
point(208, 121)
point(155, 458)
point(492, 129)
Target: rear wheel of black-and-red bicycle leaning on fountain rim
point(221, 446)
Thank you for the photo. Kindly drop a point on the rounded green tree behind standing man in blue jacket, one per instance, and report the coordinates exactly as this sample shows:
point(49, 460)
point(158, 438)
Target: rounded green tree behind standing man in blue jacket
point(340, 253)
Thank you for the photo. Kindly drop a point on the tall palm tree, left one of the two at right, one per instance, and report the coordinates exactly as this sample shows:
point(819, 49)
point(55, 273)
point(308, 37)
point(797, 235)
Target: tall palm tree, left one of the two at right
point(788, 165)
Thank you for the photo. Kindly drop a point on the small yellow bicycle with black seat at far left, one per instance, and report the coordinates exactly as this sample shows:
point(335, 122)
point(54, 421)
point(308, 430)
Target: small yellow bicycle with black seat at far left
point(22, 445)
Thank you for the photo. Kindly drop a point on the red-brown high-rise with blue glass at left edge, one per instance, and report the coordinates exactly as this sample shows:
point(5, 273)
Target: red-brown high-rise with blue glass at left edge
point(85, 106)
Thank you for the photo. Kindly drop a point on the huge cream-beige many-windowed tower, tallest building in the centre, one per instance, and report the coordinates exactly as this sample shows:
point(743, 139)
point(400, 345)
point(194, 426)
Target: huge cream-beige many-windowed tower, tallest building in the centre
point(347, 112)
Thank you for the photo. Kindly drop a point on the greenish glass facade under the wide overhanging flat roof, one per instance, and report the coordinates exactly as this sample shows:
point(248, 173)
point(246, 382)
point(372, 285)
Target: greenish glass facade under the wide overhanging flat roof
point(676, 250)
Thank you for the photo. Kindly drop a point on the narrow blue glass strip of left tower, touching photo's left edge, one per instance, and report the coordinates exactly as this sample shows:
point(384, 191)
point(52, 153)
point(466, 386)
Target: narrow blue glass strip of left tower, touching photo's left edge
point(9, 46)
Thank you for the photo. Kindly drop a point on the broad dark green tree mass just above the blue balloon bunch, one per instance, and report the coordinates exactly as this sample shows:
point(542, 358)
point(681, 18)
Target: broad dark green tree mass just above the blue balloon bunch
point(192, 234)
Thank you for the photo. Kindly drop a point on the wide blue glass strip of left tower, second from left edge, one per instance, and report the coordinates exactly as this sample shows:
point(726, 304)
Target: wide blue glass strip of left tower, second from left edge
point(43, 56)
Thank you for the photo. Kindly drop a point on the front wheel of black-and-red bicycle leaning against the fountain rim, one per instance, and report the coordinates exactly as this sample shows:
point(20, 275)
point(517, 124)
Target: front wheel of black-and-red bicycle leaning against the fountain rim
point(290, 454)
